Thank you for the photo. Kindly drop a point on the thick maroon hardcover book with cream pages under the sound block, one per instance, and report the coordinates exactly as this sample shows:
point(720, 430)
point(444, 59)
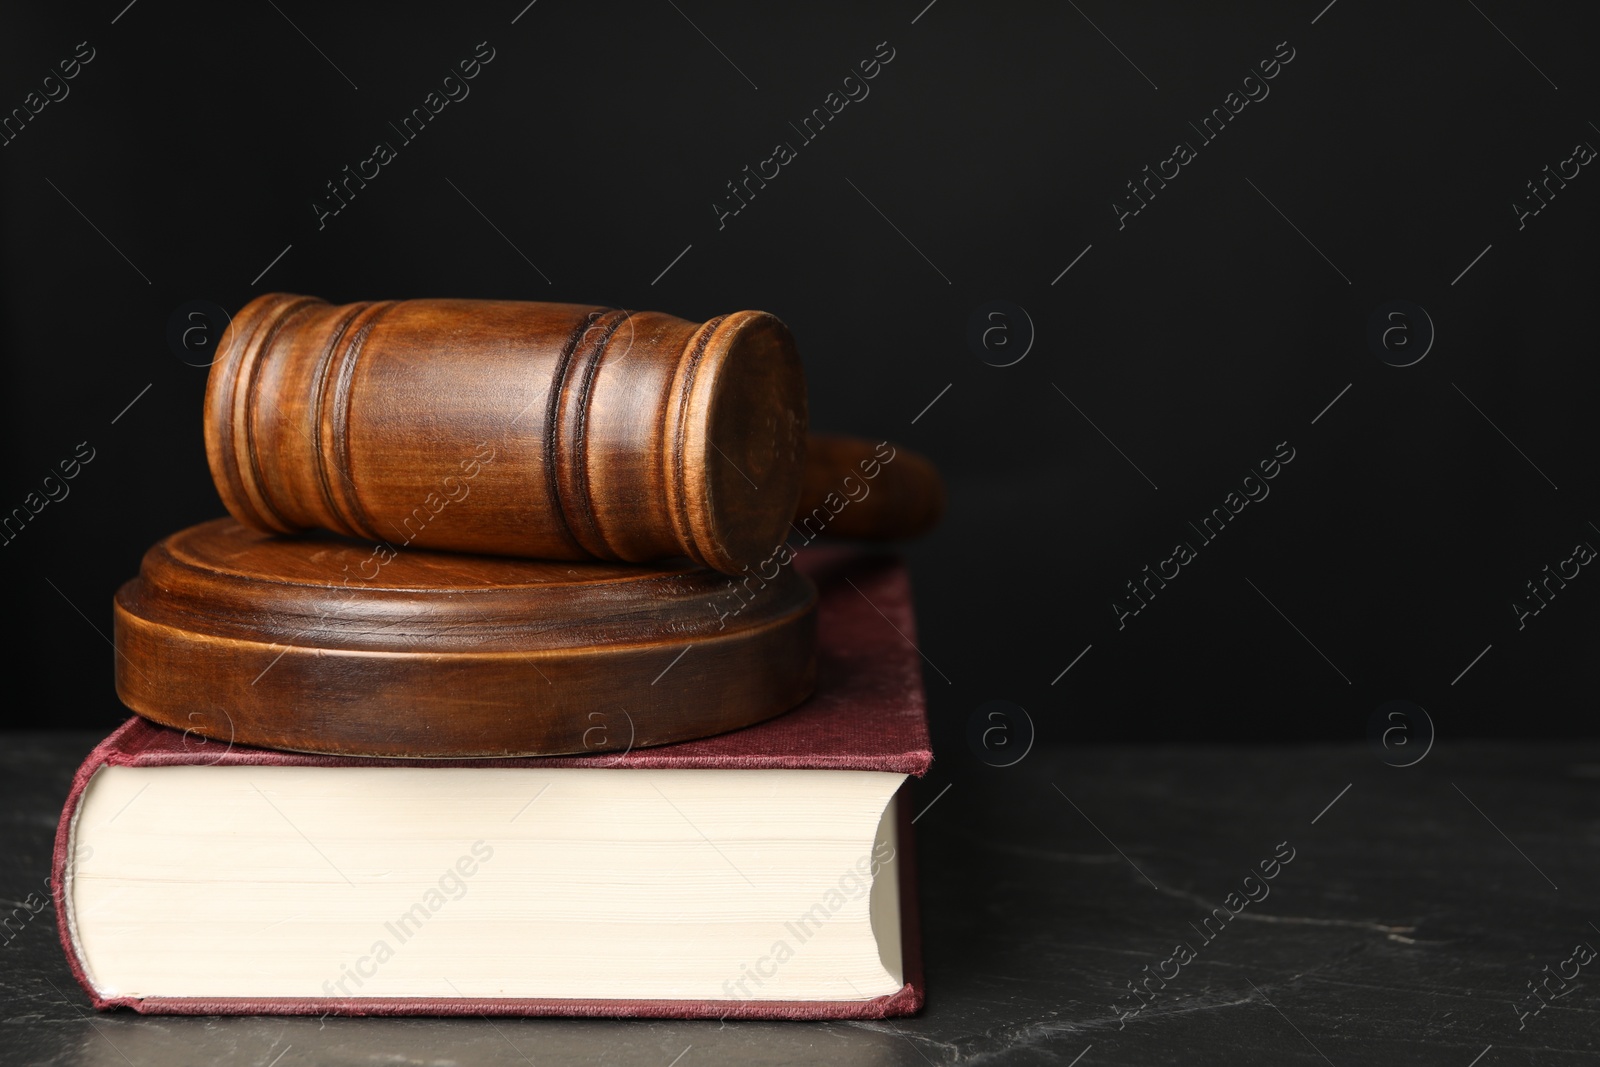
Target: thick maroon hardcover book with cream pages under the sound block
point(767, 873)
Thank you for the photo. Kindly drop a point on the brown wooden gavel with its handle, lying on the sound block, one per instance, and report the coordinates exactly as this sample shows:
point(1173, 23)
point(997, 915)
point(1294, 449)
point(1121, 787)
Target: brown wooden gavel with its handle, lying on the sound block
point(548, 431)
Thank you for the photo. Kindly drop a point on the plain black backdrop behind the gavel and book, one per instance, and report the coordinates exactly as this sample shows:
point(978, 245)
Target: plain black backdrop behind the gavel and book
point(985, 161)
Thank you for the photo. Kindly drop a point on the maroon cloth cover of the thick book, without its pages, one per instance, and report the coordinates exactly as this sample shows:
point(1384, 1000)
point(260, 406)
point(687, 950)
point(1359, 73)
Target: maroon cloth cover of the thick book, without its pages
point(868, 714)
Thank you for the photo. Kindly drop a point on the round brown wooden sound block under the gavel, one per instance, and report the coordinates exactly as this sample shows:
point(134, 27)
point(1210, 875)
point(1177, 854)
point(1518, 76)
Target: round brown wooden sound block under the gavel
point(327, 645)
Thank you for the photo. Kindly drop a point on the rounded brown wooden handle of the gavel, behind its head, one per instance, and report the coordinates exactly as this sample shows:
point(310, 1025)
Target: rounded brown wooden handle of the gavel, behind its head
point(868, 490)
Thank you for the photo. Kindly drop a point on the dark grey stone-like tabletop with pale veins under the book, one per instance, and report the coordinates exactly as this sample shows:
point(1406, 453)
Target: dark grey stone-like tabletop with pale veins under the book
point(1417, 909)
